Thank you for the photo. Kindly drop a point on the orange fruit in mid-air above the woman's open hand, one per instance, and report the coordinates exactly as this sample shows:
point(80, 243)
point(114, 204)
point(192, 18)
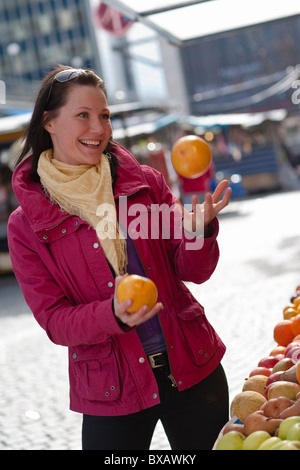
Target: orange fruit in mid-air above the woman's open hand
point(191, 156)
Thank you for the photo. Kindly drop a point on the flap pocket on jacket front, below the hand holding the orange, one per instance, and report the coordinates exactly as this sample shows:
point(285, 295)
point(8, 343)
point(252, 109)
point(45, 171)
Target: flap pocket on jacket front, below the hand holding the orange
point(96, 373)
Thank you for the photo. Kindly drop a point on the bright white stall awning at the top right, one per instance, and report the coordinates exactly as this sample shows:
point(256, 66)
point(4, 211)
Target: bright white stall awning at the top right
point(184, 21)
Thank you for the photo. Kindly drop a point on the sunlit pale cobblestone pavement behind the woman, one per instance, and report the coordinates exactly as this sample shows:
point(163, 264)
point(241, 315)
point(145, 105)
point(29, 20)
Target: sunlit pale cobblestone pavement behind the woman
point(258, 271)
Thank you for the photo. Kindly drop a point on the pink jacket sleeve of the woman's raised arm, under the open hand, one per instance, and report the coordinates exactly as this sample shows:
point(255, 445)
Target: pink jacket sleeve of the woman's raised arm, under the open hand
point(194, 259)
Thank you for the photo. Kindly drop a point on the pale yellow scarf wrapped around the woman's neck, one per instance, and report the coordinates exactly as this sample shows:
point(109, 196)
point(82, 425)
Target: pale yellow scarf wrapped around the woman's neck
point(86, 191)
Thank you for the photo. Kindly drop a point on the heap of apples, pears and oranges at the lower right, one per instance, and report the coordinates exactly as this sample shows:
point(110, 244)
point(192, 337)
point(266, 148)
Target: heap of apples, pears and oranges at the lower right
point(265, 415)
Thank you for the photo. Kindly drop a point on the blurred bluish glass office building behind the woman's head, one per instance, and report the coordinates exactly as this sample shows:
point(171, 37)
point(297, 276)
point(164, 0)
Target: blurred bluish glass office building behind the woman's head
point(36, 35)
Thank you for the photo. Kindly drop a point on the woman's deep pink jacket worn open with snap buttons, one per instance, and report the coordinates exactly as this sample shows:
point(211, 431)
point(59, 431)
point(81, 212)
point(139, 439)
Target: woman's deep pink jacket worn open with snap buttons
point(69, 287)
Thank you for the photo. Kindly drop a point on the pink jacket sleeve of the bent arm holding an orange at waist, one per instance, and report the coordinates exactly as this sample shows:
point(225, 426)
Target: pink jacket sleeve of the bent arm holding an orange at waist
point(64, 323)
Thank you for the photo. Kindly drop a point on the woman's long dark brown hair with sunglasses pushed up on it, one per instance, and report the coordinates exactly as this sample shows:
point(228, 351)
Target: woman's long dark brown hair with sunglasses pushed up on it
point(51, 97)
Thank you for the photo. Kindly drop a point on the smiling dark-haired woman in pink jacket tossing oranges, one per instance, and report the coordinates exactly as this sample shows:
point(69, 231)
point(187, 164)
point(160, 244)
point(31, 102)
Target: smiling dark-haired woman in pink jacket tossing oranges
point(126, 371)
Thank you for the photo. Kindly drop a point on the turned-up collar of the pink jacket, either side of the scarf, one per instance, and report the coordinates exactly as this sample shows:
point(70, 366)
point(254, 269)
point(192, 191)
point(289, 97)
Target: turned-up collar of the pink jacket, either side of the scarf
point(42, 214)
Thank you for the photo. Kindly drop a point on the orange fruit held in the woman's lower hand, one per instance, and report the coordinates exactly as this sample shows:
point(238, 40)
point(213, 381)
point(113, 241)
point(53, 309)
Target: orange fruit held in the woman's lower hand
point(139, 289)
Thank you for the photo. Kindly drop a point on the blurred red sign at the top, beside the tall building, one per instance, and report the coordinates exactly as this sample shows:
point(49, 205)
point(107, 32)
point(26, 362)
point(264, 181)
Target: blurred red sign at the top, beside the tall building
point(112, 20)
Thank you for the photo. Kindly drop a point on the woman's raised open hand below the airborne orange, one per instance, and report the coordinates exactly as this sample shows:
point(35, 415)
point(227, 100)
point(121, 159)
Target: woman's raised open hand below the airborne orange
point(203, 214)
